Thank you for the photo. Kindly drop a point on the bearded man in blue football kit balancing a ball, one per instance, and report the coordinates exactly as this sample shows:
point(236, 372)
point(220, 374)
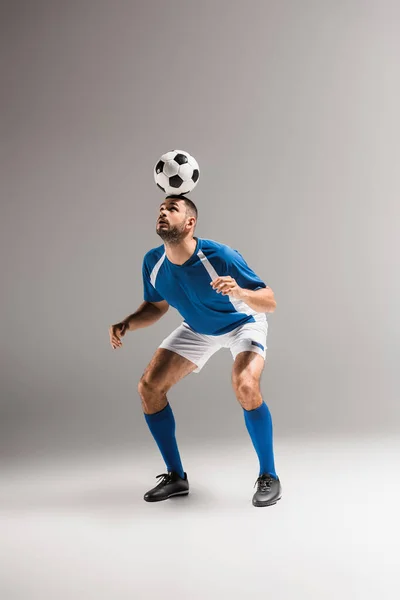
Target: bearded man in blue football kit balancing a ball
point(224, 305)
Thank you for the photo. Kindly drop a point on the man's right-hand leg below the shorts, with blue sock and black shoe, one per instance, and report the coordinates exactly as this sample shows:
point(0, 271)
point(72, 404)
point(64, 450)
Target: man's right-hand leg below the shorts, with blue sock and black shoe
point(246, 375)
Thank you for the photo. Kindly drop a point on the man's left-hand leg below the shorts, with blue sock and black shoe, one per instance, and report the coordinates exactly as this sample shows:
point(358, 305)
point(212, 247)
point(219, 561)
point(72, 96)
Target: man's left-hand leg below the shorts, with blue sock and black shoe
point(164, 370)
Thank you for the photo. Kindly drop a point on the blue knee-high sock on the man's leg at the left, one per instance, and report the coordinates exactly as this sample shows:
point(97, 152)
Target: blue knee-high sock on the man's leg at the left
point(162, 427)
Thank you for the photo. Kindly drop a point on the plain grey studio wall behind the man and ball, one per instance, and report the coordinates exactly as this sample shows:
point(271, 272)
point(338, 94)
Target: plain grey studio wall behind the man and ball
point(291, 110)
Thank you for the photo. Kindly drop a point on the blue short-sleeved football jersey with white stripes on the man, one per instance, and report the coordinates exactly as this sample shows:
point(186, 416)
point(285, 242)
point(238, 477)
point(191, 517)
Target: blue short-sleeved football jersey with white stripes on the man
point(187, 287)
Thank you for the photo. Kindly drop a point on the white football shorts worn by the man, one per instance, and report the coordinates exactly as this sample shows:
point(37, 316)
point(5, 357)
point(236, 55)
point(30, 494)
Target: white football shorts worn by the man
point(198, 347)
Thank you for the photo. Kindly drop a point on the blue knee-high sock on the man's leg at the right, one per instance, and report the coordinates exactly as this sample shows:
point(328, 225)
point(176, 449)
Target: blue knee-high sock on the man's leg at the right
point(259, 426)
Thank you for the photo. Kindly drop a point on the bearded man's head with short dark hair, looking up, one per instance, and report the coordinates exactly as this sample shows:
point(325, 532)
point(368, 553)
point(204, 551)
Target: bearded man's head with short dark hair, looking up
point(177, 219)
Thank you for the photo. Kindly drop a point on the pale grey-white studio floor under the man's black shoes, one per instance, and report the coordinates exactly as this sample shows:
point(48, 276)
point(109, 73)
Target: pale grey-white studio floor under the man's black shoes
point(79, 529)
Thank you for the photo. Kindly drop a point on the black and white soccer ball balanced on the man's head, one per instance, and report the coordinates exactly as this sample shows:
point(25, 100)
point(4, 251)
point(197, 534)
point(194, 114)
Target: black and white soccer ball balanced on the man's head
point(177, 172)
